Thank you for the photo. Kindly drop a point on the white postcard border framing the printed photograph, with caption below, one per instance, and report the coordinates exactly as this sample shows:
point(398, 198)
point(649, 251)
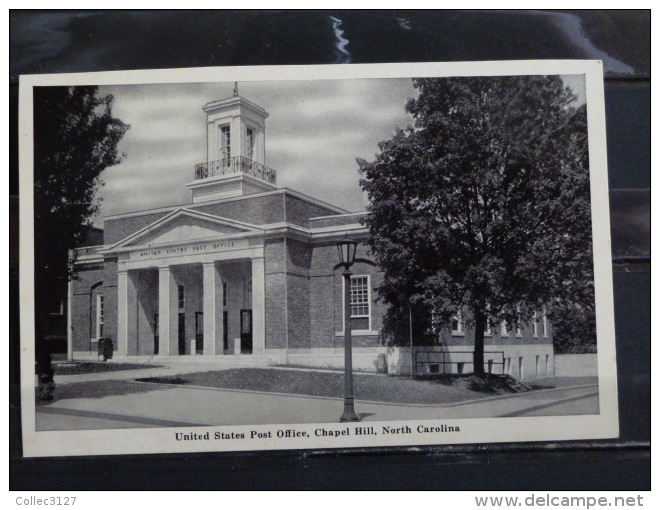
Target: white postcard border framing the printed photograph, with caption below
point(482, 430)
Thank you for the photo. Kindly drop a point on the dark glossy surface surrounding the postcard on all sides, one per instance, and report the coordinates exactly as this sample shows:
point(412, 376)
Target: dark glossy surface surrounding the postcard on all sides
point(76, 41)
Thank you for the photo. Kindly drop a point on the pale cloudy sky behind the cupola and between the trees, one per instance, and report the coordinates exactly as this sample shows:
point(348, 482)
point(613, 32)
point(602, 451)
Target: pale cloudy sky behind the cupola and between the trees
point(315, 131)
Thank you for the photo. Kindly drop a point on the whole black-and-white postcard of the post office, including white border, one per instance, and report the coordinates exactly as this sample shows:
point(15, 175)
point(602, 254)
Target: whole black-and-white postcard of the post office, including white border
point(268, 258)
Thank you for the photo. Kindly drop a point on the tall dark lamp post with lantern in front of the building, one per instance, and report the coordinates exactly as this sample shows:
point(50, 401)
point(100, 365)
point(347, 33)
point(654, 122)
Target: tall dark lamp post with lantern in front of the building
point(346, 249)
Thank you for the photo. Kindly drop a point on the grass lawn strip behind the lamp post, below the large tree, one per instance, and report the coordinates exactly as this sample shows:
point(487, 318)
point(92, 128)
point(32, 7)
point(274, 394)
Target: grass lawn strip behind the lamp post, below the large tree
point(366, 387)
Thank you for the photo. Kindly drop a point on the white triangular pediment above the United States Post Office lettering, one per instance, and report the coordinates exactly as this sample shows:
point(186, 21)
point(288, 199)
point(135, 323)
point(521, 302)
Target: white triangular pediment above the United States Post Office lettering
point(185, 225)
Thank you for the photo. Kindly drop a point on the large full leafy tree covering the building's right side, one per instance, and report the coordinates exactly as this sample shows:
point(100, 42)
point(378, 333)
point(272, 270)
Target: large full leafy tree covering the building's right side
point(483, 205)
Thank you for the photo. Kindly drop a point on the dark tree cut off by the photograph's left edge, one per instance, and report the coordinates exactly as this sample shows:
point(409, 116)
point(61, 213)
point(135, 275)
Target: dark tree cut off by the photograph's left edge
point(75, 139)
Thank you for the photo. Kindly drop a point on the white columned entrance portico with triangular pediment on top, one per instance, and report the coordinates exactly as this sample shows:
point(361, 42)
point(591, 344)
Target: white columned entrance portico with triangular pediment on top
point(196, 295)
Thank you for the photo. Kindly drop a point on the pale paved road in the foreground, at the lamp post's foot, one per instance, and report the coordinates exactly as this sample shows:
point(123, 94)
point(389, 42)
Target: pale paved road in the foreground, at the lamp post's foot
point(137, 405)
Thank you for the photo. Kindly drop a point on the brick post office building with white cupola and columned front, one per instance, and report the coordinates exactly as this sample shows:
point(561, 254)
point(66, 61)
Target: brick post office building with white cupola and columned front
point(253, 247)
